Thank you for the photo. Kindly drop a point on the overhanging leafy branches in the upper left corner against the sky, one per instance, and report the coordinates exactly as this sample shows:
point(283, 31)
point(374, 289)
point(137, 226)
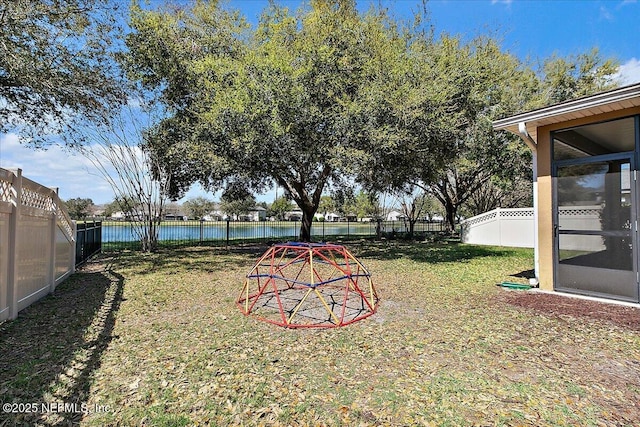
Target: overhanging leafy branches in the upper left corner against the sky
point(57, 65)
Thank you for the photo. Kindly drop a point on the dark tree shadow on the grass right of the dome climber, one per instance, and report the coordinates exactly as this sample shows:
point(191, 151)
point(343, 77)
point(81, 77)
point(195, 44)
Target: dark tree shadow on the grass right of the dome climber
point(425, 252)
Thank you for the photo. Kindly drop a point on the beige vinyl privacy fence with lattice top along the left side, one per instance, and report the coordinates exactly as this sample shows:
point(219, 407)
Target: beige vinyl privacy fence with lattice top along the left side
point(37, 242)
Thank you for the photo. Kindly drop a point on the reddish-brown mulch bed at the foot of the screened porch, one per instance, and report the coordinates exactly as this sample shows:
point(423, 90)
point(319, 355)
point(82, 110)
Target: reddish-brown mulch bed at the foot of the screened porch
point(559, 305)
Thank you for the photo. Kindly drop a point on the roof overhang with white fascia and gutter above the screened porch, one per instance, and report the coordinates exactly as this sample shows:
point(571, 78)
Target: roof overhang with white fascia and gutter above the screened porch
point(604, 102)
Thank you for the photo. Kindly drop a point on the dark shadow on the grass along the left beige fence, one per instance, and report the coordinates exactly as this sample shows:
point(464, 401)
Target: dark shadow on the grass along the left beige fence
point(49, 353)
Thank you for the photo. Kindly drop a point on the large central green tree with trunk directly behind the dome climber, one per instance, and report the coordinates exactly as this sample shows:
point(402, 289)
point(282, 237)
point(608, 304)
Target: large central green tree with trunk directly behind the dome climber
point(304, 101)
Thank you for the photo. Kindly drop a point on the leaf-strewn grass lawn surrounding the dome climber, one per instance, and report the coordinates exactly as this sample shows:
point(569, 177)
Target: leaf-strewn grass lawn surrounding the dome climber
point(157, 340)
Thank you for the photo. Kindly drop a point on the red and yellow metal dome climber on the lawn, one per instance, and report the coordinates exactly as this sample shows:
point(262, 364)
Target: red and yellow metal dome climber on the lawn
point(308, 285)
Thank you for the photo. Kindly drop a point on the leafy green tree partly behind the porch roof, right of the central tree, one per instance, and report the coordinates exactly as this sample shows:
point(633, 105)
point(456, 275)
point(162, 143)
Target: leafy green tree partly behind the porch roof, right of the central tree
point(489, 166)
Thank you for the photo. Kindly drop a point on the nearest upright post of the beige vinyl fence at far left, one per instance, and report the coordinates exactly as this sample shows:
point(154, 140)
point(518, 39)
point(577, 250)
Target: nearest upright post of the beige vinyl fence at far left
point(12, 285)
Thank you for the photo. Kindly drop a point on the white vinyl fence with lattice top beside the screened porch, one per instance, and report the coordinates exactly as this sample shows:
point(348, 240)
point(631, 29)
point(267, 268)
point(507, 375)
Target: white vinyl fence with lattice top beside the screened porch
point(500, 227)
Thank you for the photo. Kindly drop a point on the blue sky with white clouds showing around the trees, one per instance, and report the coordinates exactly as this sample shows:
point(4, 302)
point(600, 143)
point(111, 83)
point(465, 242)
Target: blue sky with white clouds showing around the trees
point(530, 29)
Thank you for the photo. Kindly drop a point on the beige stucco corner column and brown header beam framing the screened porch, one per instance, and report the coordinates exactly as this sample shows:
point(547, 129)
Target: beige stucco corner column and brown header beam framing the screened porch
point(545, 189)
